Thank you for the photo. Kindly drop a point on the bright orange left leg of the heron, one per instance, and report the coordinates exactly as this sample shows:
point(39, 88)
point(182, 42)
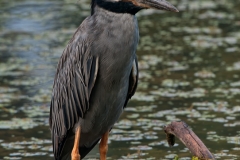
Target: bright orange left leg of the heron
point(75, 151)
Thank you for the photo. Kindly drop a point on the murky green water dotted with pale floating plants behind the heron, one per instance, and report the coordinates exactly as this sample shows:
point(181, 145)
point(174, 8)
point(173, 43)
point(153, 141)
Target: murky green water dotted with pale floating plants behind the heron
point(189, 70)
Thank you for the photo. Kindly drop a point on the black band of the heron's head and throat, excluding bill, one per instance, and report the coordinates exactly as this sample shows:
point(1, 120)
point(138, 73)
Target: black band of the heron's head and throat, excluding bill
point(116, 7)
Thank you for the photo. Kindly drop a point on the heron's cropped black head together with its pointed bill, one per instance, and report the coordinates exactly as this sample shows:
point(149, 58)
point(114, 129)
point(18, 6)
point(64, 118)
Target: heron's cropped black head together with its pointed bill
point(132, 6)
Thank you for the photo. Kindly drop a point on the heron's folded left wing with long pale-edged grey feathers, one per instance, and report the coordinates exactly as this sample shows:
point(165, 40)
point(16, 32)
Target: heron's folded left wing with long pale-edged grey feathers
point(73, 83)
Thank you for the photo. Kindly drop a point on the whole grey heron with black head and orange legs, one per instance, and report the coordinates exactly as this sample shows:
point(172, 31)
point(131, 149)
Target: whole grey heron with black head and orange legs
point(96, 76)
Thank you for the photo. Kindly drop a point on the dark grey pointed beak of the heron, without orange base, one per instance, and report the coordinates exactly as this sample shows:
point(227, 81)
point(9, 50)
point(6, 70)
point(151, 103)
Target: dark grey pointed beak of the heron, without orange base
point(160, 4)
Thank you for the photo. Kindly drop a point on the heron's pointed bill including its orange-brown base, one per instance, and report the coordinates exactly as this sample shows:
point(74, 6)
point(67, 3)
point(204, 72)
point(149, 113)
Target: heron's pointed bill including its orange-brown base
point(156, 4)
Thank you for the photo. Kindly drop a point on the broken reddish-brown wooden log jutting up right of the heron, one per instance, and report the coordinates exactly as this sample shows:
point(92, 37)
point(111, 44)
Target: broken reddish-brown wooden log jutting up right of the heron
point(181, 130)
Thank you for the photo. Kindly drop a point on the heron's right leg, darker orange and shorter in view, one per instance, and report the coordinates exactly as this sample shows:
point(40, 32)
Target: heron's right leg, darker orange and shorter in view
point(103, 146)
